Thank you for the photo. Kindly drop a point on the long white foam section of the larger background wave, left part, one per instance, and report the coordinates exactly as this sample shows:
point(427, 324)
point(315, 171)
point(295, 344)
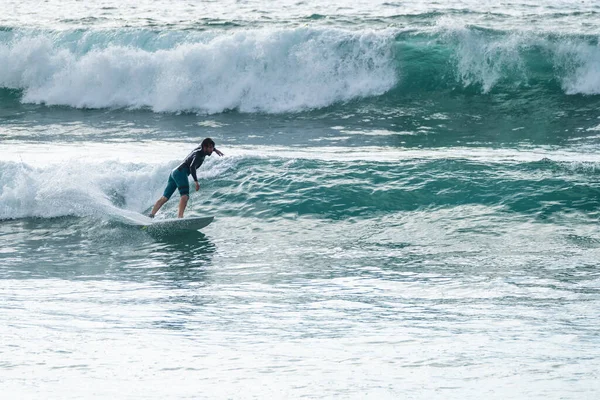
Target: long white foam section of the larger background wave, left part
point(252, 71)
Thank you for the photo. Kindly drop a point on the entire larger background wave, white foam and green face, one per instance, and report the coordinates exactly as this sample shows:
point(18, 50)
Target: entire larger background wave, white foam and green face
point(287, 70)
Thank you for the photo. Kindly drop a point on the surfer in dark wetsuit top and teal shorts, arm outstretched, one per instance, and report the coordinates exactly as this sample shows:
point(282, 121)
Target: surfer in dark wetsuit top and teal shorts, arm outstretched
point(179, 176)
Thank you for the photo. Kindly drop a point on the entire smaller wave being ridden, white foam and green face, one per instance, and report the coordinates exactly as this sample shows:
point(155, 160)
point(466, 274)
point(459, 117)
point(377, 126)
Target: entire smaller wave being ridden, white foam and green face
point(254, 186)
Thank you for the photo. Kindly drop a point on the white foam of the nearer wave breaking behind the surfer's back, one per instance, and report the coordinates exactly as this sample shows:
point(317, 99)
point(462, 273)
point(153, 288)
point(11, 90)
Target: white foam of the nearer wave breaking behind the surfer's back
point(74, 188)
